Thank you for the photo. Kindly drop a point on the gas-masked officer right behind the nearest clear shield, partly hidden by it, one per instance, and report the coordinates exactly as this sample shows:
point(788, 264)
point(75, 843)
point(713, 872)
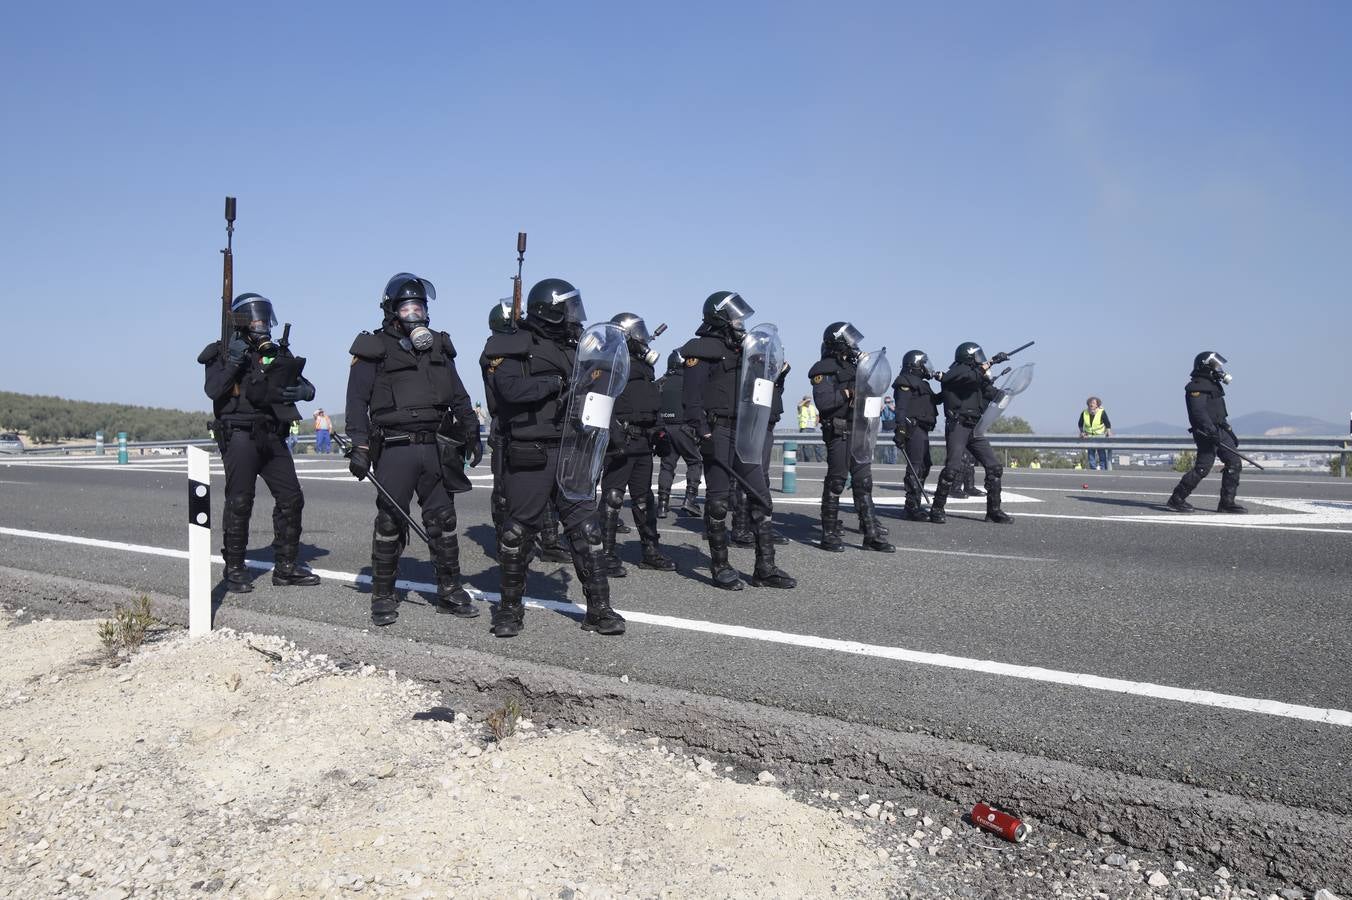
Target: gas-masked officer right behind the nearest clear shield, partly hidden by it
point(629, 456)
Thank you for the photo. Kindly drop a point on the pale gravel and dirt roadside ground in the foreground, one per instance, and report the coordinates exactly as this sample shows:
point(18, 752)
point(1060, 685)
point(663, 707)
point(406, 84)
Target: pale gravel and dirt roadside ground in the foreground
point(243, 766)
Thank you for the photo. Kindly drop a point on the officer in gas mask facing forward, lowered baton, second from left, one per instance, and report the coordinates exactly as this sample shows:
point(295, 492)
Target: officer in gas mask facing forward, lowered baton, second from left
point(410, 418)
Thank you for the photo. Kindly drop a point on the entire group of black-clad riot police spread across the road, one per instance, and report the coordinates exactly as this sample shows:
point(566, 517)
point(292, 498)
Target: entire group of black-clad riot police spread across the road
point(581, 411)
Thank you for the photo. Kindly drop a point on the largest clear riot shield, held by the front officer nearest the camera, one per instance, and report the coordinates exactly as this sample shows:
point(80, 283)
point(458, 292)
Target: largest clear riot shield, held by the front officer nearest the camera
point(600, 376)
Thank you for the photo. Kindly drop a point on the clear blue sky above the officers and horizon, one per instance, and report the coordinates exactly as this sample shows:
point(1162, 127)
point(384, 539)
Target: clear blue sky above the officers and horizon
point(1127, 184)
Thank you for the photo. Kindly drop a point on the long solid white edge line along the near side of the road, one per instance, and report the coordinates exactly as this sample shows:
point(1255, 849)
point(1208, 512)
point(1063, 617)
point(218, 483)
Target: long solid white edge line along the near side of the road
point(854, 648)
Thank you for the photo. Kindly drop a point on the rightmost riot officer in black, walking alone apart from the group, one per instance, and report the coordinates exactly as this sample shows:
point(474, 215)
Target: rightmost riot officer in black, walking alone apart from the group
point(1211, 426)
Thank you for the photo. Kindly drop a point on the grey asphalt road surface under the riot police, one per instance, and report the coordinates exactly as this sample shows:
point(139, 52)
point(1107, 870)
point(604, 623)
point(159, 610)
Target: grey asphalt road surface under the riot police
point(1088, 584)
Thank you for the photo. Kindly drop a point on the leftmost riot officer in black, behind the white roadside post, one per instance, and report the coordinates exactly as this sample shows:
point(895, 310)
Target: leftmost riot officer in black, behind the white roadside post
point(255, 384)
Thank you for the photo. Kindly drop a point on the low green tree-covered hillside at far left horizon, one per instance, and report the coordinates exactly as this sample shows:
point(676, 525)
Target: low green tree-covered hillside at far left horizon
point(51, 420)
